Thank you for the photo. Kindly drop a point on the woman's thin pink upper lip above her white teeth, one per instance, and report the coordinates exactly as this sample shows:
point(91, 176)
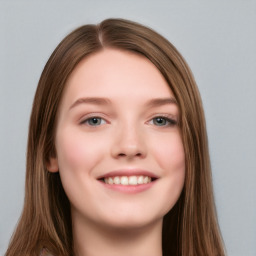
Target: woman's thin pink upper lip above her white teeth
point(128, 172)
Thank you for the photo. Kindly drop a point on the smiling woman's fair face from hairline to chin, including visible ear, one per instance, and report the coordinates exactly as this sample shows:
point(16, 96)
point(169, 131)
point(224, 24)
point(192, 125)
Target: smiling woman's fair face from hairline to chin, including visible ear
point(119, 148)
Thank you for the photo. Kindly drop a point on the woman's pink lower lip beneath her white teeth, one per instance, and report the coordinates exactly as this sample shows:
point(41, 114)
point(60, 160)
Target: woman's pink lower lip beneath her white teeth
point(130, 189)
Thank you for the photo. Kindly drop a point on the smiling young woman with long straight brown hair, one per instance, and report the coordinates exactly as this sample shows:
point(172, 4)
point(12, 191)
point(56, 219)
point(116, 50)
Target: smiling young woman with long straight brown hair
point(117, 160)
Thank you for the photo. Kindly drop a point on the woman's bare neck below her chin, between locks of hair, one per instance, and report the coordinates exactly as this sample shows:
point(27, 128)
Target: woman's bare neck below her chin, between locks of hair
point(93, 240)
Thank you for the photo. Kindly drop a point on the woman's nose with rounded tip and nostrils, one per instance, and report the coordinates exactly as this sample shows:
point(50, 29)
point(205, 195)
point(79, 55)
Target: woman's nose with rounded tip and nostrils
point(129, 143)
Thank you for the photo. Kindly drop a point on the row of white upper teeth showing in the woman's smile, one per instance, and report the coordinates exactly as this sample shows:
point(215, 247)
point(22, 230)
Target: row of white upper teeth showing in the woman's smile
point(131, 180)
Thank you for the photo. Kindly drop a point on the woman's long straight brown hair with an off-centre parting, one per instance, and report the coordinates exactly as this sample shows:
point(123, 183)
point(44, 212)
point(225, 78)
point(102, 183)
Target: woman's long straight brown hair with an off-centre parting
point(191, 227)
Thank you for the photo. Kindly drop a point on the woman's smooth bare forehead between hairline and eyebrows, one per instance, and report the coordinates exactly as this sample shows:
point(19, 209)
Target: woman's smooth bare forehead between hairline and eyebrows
point(116, 74)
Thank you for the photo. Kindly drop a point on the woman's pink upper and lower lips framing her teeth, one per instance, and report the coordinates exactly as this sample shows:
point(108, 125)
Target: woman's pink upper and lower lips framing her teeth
point(130, 189)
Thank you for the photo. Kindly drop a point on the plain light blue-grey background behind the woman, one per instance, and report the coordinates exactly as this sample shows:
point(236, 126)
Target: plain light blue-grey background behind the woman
point(217, 38)
